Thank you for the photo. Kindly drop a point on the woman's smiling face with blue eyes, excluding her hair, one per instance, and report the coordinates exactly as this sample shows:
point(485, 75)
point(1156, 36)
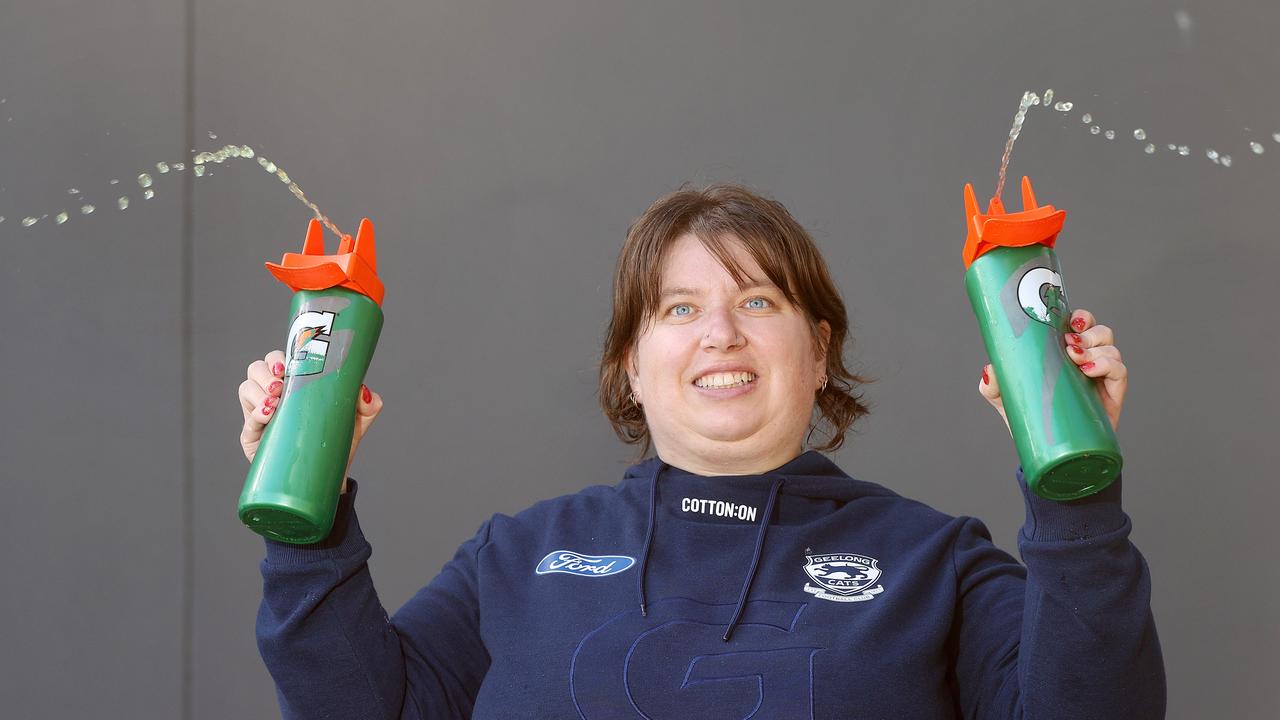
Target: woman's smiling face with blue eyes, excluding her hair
point(726, 375)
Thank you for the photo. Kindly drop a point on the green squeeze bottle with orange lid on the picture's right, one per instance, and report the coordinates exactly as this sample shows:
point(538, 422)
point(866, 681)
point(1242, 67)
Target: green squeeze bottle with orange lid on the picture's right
point(1064, 439)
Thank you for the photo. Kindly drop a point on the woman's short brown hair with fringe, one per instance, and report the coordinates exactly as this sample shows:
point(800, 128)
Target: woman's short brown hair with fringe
point(716, 215)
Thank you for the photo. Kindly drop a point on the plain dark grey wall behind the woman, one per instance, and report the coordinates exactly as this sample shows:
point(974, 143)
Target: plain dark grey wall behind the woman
point(502, 151)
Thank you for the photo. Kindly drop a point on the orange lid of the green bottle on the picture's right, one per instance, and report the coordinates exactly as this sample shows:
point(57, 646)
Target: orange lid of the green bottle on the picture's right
point(1035, 225)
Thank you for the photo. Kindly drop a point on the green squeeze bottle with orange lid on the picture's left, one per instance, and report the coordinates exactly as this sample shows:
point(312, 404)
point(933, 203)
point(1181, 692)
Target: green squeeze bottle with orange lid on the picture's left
point(291, 493)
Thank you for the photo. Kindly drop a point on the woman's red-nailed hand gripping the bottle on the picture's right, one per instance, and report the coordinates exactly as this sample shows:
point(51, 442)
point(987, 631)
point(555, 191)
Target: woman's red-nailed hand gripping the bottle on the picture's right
point(1092, 349)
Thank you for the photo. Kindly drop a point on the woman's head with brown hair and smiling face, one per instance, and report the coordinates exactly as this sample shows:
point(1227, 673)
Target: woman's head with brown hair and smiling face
point(721, 281)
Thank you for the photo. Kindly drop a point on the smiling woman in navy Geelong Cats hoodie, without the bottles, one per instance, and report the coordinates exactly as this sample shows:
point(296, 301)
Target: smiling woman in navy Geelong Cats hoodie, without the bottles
point(734, 575)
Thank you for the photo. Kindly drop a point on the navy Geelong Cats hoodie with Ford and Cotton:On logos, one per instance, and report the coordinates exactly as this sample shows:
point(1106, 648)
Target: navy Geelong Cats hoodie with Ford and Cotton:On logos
point(797, 594)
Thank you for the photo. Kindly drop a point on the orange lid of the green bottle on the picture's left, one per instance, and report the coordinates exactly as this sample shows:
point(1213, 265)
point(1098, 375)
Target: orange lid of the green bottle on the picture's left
point(355, 267)
